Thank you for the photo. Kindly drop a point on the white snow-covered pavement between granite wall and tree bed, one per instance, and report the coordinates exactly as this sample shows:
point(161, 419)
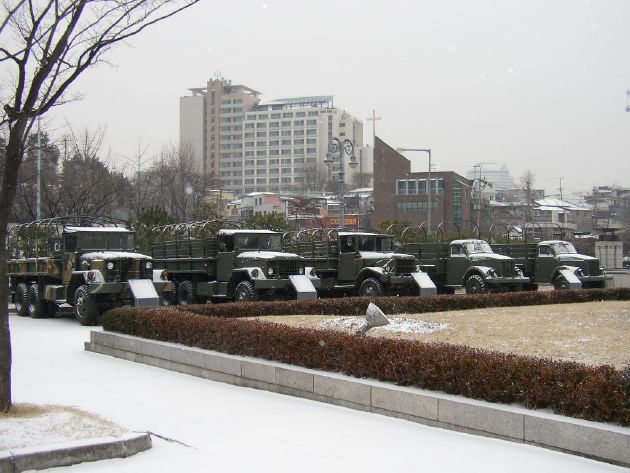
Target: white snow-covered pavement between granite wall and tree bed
point(219, 427)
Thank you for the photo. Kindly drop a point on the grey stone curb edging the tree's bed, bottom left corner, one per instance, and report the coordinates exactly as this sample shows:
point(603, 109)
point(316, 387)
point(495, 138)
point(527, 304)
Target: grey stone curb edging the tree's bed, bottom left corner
point(71, 453)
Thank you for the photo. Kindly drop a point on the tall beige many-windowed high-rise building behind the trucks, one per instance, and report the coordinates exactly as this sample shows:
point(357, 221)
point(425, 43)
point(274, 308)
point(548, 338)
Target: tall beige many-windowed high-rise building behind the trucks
point(274, 146)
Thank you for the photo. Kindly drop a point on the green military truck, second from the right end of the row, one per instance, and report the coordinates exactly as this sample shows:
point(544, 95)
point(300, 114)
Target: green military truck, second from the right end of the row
point(467, 263)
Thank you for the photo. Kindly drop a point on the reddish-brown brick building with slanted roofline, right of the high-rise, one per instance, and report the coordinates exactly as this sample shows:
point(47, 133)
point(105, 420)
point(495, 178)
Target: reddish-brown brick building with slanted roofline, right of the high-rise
point(401, 194)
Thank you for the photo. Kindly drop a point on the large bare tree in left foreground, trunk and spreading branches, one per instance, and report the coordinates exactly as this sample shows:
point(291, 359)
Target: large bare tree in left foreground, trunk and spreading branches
point(45, 45)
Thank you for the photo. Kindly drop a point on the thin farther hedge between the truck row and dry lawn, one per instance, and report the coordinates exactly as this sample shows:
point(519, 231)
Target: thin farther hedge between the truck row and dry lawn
point(409, 304)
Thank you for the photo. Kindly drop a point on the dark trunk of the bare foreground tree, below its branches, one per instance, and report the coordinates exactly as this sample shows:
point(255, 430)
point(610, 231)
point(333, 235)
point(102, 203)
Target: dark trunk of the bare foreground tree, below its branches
point(13, 158)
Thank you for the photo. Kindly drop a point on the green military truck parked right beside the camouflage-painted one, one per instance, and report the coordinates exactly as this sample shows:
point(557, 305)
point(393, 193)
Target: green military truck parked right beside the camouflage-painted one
point(205, 263)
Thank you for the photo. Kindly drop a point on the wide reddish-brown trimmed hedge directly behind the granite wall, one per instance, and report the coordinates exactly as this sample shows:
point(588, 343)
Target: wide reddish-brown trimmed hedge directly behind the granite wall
point(593, 393)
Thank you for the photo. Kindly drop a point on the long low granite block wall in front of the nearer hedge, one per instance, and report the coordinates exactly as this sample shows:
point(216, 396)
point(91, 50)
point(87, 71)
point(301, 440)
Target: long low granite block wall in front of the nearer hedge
point(603, 442)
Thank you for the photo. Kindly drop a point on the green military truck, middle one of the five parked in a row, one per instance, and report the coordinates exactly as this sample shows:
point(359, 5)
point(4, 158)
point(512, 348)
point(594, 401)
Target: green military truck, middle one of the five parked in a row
point(359, 263)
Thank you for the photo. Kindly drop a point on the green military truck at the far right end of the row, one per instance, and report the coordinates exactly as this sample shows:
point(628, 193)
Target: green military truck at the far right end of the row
point(555, 262)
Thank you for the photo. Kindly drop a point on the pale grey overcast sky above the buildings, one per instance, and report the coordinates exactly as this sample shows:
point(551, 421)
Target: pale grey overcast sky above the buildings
point(534, 84)
